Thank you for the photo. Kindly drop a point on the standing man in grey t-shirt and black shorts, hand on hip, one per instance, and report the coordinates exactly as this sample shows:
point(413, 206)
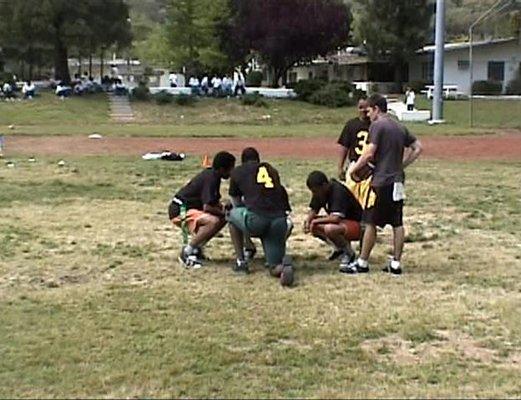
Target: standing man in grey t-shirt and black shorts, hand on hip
point(387, 142)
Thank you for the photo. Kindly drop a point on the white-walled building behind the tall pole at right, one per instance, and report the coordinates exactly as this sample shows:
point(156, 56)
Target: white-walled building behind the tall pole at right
point(494, 60)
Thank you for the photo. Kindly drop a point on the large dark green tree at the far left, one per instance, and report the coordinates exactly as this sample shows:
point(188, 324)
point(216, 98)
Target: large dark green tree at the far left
point(61, 26)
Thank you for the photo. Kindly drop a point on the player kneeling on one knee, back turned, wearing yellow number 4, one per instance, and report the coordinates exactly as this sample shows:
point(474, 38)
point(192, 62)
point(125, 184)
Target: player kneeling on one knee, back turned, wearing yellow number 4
point(260, 208)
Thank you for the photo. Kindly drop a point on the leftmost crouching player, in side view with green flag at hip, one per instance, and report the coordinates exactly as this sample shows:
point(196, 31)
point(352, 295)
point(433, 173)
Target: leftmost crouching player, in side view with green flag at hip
point(197, 210)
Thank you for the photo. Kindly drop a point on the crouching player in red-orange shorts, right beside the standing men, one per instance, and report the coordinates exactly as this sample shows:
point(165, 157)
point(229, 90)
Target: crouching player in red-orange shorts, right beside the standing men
point(341, 225)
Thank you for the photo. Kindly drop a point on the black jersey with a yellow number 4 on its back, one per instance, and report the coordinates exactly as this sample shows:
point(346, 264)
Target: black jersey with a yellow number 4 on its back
point(258, 184)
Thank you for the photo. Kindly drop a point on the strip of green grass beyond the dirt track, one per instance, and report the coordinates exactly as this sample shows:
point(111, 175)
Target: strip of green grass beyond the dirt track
point(48, 115)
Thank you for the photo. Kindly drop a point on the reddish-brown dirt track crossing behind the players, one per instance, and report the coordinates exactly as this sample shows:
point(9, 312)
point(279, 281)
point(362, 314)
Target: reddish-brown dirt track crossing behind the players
point(505, 146)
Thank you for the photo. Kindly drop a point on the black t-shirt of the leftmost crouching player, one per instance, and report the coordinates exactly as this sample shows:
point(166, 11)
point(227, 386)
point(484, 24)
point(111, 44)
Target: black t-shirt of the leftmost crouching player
point(205, 188)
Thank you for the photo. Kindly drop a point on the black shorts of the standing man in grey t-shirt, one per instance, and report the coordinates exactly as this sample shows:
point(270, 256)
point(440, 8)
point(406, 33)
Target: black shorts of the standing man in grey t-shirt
point(385, 210)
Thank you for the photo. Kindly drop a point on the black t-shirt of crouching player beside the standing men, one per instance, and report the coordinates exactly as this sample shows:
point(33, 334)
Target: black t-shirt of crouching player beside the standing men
point(340, 201)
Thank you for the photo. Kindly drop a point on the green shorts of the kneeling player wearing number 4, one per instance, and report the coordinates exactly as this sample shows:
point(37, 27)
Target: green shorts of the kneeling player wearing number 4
point(271, 230)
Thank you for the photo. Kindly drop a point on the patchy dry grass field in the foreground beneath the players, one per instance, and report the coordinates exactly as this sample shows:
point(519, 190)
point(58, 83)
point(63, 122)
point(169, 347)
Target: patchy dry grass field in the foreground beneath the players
point(95, 305)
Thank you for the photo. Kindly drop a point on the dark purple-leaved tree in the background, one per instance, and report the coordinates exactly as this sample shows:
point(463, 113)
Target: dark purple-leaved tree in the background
point(284, 32)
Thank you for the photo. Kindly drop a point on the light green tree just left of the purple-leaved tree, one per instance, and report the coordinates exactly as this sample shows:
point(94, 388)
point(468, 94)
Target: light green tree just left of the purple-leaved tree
point(191, 34)
